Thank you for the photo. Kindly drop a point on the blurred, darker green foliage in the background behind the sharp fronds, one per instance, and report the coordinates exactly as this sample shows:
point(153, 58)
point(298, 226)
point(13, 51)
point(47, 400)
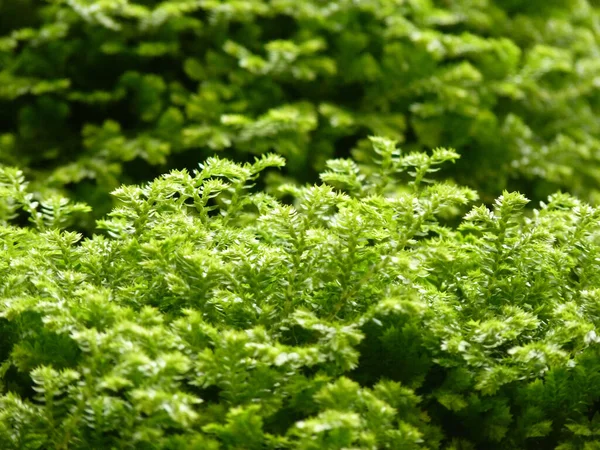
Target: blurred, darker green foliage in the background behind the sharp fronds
point(97, 93)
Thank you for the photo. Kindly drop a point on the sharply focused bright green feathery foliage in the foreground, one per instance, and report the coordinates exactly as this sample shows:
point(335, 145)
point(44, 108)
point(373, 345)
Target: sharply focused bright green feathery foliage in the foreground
point(364, 315)
